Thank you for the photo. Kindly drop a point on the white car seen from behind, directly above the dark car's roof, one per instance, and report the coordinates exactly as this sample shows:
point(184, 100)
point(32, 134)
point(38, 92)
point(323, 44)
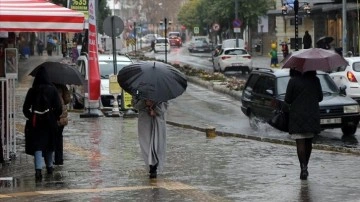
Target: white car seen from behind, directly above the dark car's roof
point(232, 59)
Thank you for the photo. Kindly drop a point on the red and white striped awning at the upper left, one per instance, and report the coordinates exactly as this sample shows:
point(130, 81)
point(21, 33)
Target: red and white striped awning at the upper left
point(38, 16)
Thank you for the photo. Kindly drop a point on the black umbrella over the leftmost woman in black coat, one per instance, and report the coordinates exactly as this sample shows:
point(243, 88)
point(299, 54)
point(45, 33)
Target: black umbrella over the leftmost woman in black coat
point(61, 73)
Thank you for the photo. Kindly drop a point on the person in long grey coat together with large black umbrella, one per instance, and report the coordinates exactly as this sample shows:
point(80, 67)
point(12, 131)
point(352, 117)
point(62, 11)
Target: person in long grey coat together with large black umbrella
point(152, 84)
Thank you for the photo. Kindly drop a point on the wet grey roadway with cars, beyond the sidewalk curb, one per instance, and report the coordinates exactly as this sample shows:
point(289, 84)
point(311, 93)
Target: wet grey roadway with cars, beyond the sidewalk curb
point(224, 112)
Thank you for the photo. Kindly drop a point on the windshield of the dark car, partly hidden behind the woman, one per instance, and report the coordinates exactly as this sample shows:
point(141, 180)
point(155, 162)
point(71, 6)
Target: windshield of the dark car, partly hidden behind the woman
point(327, 85)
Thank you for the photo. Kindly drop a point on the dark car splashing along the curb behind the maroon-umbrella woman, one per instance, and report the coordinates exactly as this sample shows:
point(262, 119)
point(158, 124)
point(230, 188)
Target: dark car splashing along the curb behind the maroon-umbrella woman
point(265, 91)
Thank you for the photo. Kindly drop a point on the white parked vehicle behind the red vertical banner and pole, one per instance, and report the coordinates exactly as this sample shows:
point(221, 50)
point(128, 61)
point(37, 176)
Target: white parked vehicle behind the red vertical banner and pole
point(106, 68)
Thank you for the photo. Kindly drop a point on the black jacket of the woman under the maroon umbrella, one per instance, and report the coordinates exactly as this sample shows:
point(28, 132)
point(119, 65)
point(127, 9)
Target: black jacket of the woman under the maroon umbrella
point(303, 95)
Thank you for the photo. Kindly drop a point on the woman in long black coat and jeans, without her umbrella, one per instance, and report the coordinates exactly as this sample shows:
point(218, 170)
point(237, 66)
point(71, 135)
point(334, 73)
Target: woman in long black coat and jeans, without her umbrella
point(42, 107)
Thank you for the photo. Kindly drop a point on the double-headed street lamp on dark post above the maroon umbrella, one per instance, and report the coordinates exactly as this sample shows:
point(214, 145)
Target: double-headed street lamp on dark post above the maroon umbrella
point(284, 11)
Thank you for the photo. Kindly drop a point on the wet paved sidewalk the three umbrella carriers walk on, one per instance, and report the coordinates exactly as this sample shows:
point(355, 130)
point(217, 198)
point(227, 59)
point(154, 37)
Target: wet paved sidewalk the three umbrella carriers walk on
point(103, 163)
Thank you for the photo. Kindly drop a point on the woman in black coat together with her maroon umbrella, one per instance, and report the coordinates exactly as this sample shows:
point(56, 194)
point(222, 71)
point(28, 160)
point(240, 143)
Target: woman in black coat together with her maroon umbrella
point(303, 94)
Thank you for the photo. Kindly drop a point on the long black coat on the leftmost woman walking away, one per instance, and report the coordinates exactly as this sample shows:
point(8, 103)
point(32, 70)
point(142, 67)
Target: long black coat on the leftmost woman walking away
point(43, 135)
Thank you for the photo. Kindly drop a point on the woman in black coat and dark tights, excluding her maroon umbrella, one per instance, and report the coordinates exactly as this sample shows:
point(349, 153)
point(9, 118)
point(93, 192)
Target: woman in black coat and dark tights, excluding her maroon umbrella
point(303, 95)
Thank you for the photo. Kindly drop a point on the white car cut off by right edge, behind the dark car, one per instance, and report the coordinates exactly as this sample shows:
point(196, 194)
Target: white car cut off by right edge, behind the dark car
point(349, 76)
